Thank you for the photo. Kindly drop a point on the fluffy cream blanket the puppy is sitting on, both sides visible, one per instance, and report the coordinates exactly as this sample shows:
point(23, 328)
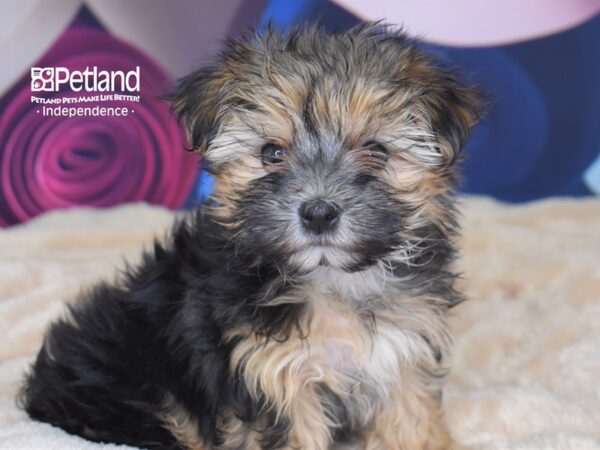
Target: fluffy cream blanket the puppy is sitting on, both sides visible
point(526, 366)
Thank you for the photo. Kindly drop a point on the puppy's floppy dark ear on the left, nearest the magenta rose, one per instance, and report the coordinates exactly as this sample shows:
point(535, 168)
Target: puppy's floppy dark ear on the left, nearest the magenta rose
point(198, 101)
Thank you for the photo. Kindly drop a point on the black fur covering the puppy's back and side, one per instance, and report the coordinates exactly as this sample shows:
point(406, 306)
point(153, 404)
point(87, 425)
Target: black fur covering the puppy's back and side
point(105, 368)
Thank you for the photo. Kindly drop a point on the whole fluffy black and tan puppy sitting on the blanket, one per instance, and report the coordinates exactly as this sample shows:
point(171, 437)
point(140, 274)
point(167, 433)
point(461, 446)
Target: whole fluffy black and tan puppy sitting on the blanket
point(305, 306)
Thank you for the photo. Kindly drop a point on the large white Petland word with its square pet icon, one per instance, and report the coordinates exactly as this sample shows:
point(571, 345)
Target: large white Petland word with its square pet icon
point(52, 79)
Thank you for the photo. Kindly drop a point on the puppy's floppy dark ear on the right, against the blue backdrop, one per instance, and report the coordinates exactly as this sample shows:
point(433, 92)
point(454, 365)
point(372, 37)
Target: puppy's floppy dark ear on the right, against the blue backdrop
point(454, 108)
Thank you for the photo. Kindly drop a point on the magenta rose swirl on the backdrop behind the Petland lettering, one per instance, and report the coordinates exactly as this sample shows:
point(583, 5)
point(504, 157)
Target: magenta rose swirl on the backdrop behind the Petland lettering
point(58, 162)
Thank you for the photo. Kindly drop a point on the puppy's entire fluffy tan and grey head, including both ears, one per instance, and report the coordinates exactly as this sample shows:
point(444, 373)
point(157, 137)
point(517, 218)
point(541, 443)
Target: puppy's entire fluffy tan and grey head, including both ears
point(329, 150)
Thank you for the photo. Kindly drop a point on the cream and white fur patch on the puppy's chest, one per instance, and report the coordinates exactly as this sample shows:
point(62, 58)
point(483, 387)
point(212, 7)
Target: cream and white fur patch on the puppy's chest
point(340, 346)
